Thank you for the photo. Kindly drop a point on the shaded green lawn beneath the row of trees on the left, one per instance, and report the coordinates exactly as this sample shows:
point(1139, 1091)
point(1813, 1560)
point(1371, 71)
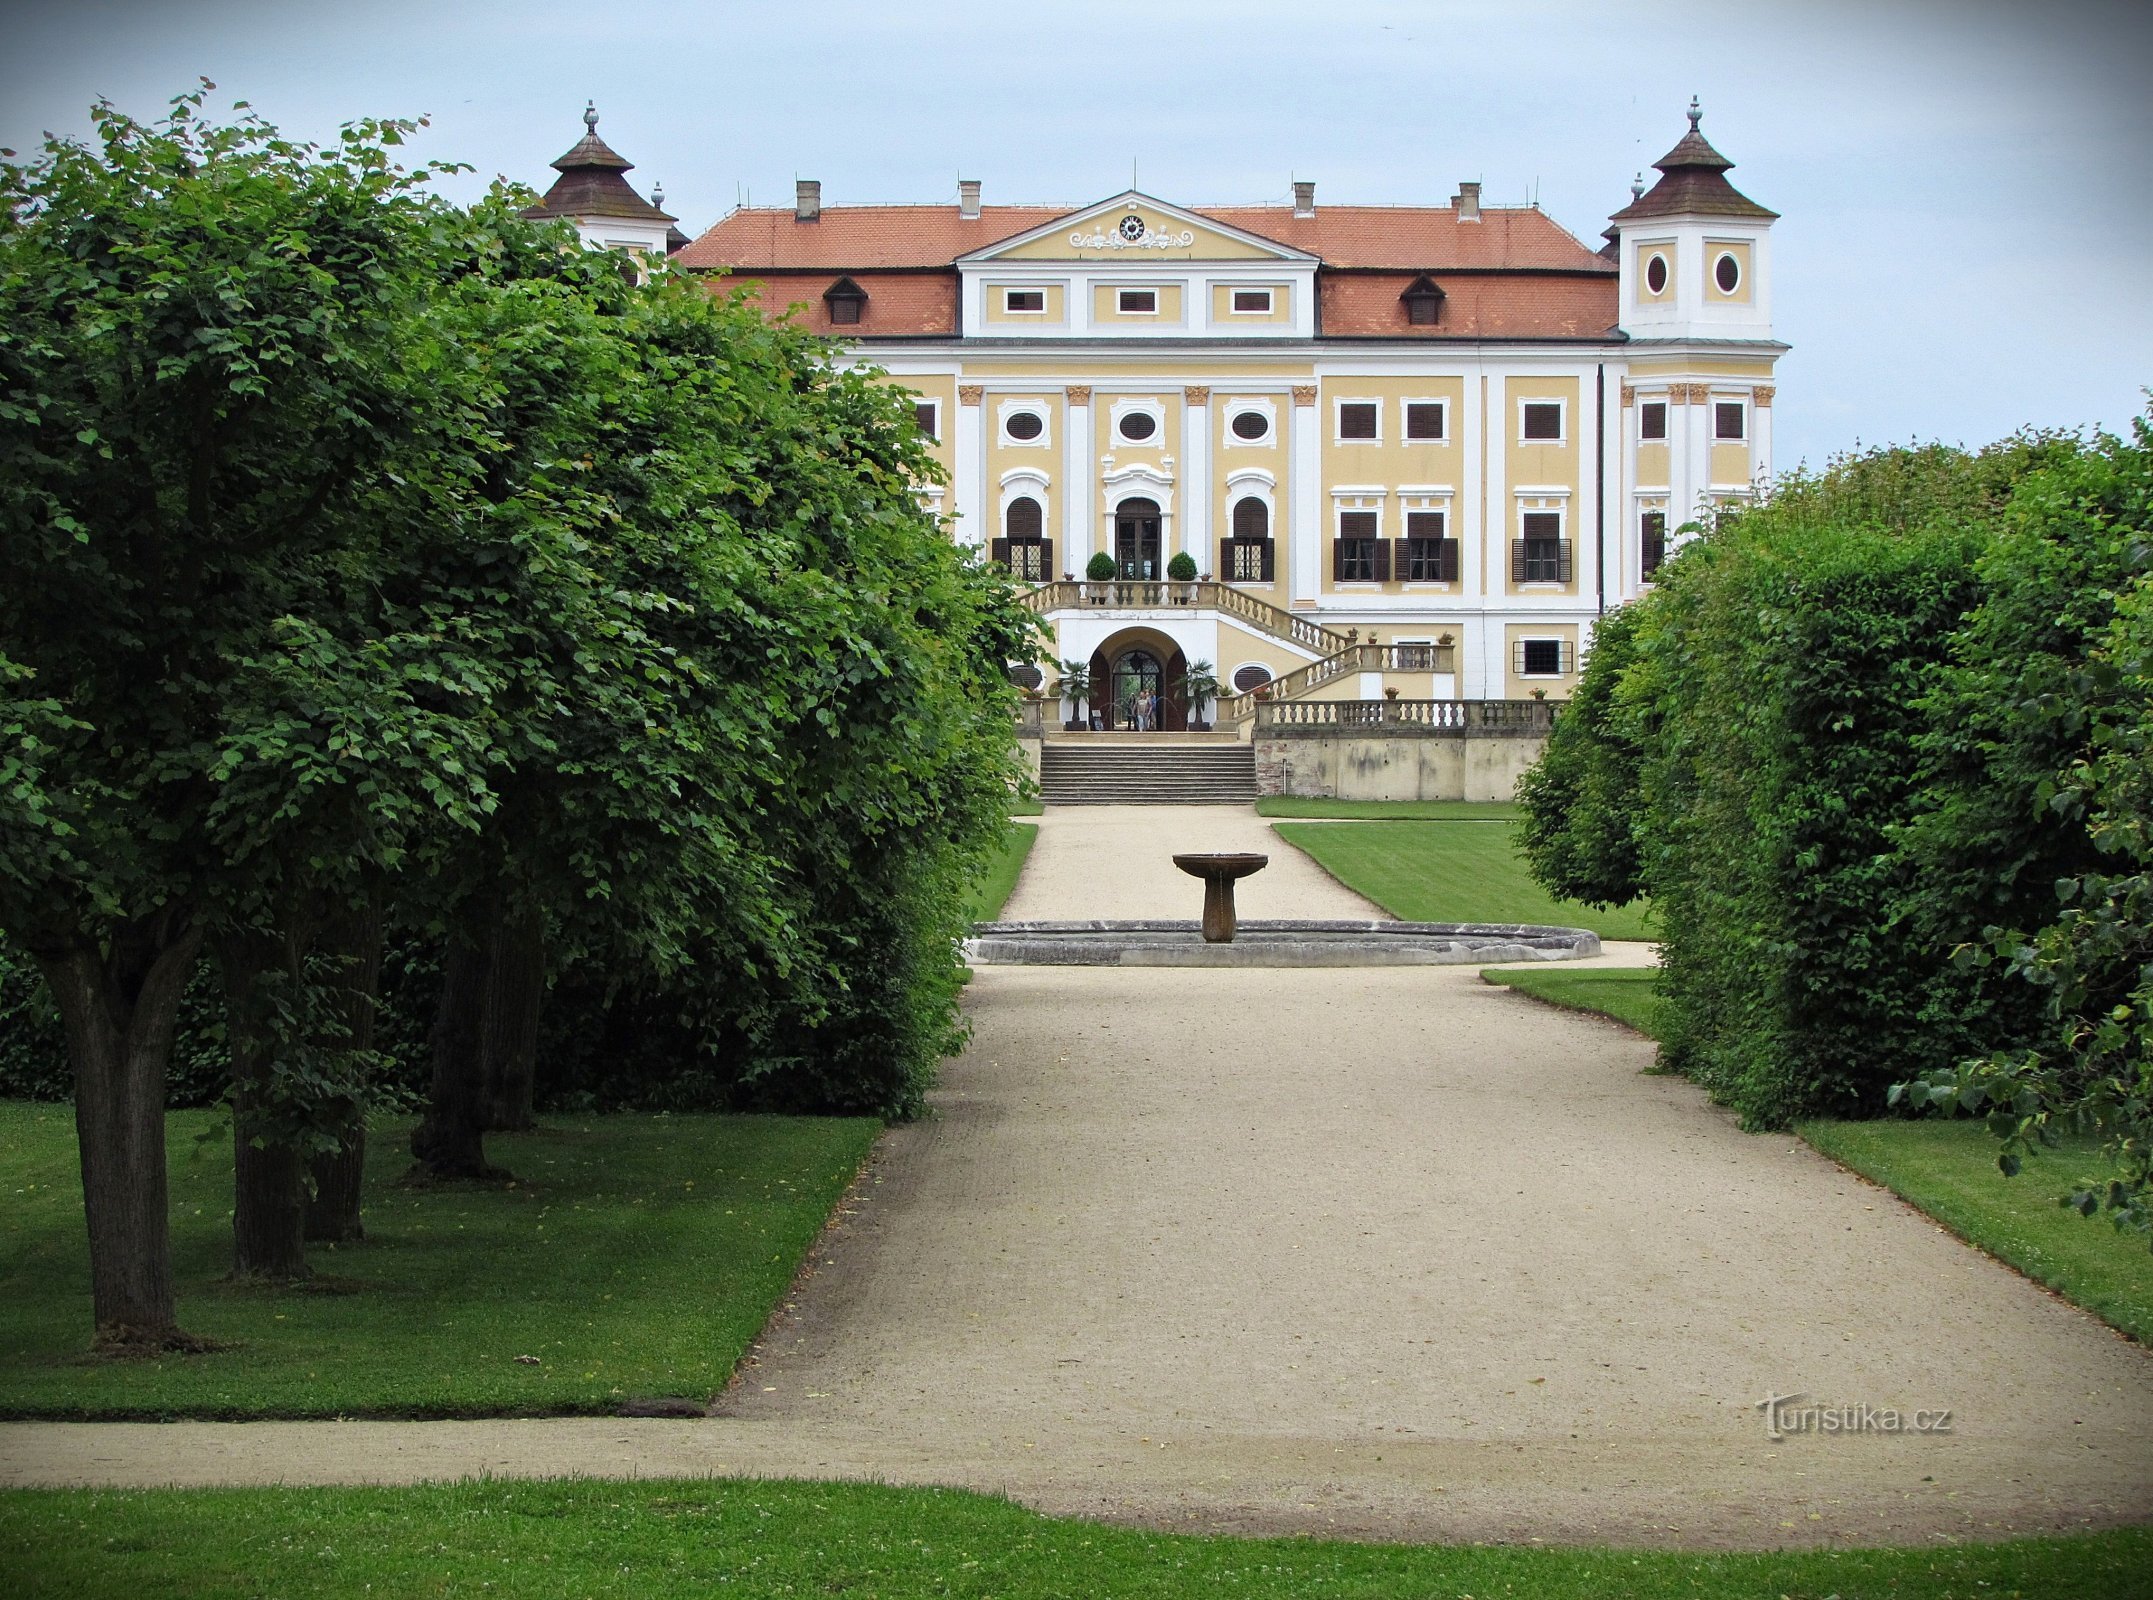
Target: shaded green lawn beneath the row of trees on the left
point(636, 1257)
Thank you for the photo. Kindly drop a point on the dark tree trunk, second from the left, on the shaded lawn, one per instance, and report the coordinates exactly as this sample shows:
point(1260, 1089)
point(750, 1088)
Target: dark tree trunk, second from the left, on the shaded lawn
point(268, 1168)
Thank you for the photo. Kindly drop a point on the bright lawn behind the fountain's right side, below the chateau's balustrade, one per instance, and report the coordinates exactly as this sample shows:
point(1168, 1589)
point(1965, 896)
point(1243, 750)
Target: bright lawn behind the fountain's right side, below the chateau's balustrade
point(1448, 873)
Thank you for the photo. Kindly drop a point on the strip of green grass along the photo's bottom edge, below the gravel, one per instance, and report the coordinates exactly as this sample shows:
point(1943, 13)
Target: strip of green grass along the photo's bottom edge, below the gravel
point(671, 1541)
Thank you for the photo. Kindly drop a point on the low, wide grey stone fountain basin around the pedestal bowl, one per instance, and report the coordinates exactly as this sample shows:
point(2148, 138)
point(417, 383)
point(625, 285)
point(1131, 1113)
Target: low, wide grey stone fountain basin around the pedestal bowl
point(1273, 944)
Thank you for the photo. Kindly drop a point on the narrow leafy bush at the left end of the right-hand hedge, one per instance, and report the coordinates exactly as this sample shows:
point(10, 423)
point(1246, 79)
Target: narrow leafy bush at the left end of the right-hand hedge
point(1581, 822)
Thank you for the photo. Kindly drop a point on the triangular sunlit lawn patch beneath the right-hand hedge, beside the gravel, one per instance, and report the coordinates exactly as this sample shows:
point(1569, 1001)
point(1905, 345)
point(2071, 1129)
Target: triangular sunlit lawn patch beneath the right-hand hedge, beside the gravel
point(1950, 1170)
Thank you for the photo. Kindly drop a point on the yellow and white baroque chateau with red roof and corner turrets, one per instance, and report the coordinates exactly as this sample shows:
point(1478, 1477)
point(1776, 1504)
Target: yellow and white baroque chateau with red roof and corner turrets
point(1411, 453)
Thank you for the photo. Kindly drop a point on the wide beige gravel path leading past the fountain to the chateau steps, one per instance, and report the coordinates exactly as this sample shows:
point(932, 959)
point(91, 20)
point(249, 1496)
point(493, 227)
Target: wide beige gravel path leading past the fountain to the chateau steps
point(1377, 1252)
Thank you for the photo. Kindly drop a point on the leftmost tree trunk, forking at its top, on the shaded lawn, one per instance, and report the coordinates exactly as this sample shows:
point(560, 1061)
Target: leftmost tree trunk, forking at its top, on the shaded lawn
point(119, 1009)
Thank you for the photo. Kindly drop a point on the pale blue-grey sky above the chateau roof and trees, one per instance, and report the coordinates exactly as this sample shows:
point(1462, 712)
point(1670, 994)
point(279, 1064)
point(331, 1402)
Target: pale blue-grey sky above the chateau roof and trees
point(1967, 240)
